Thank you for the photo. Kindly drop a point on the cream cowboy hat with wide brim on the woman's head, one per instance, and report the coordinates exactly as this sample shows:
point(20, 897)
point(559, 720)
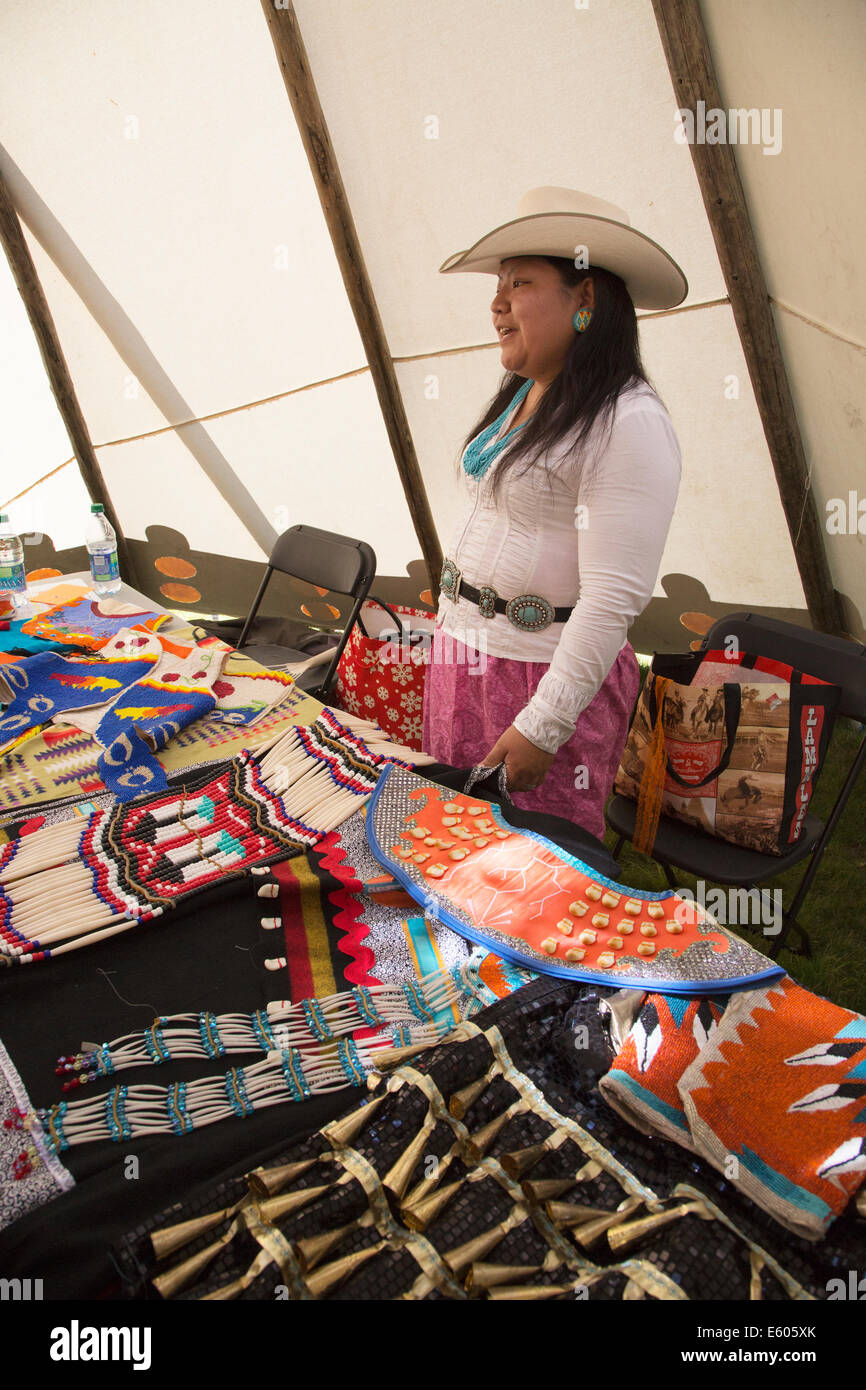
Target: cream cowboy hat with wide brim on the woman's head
point(558, 222)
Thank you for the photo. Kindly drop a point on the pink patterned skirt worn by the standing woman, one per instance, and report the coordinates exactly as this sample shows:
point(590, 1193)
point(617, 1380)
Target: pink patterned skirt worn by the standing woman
point(469, 707)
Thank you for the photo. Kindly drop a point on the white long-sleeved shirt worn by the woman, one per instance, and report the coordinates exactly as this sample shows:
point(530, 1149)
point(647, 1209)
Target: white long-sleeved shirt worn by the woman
point(590, 537)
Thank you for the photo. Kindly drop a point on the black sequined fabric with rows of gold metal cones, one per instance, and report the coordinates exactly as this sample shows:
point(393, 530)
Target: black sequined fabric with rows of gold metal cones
point(498, 1191)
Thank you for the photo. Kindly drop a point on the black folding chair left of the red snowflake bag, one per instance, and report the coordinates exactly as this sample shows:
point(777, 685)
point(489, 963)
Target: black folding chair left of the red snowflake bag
point(333, 562)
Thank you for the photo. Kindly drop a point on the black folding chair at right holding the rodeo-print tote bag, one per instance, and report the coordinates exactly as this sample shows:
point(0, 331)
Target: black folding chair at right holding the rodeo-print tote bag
point(696, 851)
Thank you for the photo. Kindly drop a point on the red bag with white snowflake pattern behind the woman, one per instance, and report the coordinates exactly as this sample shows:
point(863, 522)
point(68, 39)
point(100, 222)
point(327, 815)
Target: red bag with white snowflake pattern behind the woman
point(383, 669)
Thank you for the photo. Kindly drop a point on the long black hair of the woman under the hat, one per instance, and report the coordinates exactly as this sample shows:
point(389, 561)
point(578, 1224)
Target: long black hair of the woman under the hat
point(601, 363)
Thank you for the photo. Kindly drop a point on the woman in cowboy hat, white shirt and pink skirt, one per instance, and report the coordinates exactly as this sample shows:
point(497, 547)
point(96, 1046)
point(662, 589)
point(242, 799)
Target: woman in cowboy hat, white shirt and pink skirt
point(572, 477)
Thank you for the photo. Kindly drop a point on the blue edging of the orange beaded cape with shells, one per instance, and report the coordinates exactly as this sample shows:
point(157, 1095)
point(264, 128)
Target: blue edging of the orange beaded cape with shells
point(632, 982)
